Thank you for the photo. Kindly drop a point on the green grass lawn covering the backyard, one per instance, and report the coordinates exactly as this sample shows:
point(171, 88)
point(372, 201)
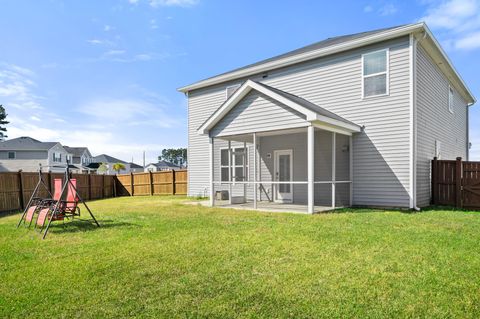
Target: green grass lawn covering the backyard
point(155, 257)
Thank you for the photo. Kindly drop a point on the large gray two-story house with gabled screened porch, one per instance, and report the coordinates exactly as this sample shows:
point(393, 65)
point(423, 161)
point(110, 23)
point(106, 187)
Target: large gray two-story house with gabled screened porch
point(386, 101)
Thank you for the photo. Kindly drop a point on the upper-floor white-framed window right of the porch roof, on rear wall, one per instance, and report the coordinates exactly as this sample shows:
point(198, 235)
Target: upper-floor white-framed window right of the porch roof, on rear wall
point(375, 73)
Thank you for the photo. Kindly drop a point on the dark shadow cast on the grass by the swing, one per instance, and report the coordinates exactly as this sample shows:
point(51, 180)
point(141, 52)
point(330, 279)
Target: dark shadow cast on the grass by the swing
point(77, 225)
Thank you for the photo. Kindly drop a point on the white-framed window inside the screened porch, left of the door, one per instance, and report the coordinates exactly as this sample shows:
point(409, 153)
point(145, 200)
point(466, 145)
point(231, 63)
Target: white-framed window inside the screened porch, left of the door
point(239, 154)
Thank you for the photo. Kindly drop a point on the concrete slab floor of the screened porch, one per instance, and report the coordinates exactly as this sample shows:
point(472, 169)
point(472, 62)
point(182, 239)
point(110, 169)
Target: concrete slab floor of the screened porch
point(267, 206)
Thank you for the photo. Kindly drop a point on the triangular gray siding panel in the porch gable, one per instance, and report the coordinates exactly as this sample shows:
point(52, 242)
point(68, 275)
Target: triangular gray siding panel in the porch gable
point(258, 112)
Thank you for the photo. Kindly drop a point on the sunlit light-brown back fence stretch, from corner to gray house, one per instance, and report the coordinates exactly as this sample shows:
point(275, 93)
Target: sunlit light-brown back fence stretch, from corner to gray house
point(153, 183)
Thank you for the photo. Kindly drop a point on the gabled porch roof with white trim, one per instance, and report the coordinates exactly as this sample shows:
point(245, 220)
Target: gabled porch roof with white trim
point(312, 112)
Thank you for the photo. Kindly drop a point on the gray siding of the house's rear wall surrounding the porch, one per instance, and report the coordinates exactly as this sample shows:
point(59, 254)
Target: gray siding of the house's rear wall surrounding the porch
point(381, 151)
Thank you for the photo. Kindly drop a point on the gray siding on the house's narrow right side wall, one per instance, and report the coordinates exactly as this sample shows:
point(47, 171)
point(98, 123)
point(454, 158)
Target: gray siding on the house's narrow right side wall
point(435, 122)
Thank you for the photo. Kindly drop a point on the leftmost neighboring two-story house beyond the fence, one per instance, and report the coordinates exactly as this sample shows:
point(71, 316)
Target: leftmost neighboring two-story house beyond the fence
point(26, 153)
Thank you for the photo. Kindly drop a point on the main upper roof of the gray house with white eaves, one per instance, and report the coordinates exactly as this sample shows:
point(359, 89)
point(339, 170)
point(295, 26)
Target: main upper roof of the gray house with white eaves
point(340, 44)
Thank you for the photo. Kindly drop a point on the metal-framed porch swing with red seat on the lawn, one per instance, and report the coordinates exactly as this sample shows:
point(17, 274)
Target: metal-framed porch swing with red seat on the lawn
point(63, 204)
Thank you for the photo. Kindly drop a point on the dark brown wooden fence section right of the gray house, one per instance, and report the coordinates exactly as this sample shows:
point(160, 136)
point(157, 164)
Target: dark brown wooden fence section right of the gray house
point(456, 183)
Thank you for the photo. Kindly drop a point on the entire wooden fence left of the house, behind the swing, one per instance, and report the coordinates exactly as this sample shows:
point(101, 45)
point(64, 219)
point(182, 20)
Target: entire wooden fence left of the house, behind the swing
point(16, 188)
